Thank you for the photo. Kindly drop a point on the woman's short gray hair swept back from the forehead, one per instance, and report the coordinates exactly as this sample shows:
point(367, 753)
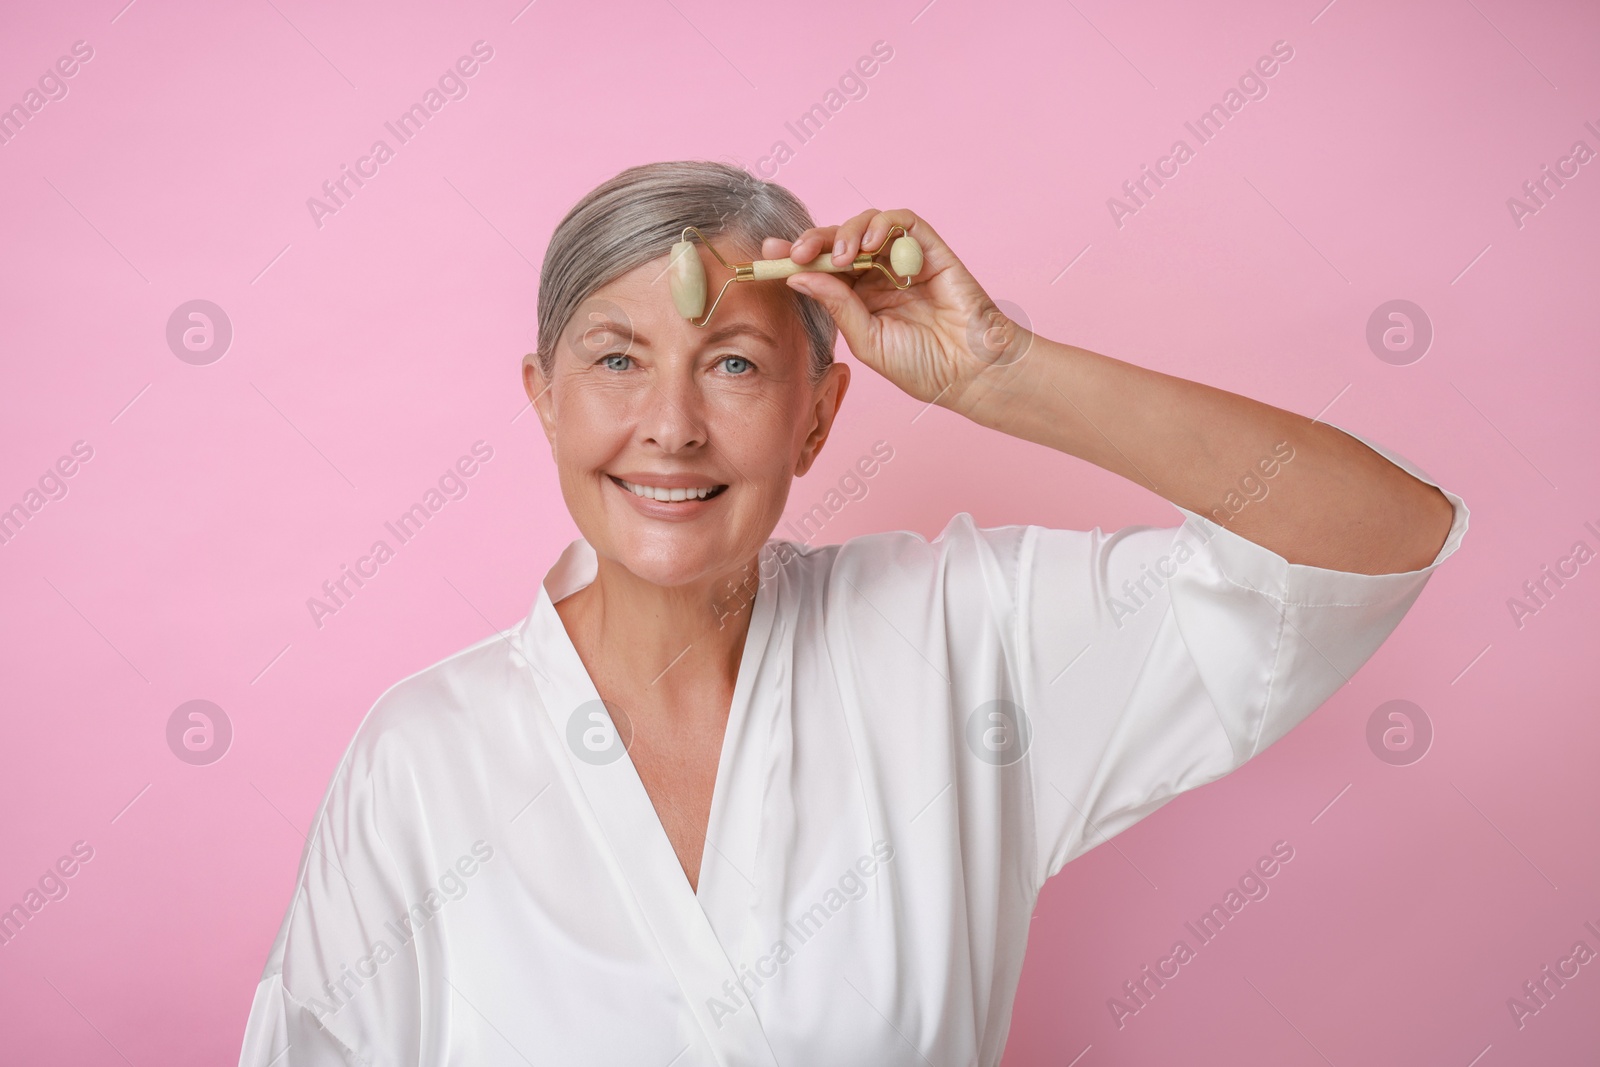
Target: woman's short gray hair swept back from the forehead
point(638, 215)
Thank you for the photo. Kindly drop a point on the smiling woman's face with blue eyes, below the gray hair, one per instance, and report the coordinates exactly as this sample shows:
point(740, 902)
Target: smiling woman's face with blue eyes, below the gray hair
point(638, 396)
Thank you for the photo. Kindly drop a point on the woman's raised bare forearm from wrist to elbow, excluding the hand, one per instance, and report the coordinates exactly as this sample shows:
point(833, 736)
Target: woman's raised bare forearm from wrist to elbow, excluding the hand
point(1335, 505)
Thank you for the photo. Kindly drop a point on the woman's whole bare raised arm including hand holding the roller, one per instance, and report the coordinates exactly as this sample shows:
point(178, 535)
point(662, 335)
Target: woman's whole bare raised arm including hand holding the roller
point(1334, 503)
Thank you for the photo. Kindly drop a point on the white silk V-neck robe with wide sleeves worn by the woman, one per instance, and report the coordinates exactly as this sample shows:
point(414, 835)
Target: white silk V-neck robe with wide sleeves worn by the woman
point(921, 735)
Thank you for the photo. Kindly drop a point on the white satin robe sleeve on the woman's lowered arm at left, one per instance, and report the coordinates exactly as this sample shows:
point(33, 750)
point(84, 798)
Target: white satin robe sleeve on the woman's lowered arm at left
point(342, 988)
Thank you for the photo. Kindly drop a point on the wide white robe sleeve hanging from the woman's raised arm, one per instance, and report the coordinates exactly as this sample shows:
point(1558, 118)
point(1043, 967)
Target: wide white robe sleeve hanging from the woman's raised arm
point(1151, 661)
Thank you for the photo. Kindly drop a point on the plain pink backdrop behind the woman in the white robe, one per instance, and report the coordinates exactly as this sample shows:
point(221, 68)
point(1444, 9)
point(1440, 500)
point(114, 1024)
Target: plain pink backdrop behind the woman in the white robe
point(372, 353)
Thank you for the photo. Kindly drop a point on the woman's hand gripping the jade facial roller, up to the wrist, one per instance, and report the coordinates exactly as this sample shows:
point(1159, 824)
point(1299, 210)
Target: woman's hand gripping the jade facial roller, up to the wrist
point(934, 338)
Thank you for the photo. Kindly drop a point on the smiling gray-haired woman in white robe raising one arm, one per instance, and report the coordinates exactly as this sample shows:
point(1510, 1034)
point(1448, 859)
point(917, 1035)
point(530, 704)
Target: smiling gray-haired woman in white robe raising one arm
point(732, 801)
